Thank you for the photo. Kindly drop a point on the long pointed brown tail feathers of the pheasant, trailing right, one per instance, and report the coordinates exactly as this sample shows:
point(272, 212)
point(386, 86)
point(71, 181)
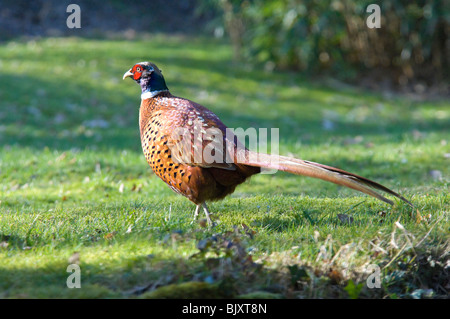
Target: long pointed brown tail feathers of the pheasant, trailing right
point(320, 171)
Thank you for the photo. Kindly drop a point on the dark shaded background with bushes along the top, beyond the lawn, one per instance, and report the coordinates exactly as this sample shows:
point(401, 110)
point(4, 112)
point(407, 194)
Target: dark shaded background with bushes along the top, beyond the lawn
point(409, 51)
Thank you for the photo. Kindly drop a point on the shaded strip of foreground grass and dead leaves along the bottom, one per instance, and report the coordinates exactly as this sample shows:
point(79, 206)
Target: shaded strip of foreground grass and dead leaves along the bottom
point(221, 268)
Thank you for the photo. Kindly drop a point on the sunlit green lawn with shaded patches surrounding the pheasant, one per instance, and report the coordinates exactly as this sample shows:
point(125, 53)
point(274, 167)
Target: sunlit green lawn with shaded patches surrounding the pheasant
point(75, 187)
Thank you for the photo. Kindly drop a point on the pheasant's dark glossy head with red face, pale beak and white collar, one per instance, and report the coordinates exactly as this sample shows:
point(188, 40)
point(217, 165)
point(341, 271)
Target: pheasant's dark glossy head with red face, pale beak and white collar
point(149, 77)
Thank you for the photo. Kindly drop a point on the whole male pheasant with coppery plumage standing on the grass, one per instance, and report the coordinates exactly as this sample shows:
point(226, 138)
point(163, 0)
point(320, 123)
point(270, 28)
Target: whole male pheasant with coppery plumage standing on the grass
point(178, 158)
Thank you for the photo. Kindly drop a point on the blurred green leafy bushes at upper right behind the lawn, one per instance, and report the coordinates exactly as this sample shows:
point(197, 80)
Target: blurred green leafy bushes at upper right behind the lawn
point(412, 45)
